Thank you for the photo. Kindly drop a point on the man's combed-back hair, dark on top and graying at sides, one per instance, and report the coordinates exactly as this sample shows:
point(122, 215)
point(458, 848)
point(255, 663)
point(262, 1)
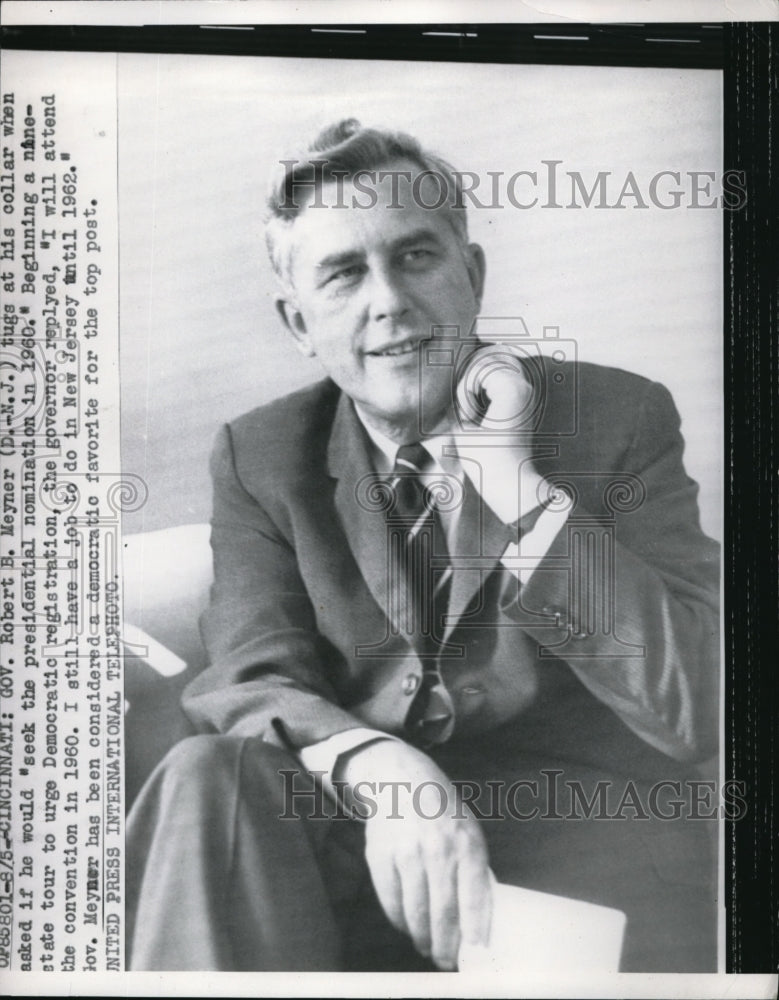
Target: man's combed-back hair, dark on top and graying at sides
point(341, 151)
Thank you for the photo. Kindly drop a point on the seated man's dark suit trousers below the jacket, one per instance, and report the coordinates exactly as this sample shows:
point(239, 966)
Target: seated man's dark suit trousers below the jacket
point(222, 874)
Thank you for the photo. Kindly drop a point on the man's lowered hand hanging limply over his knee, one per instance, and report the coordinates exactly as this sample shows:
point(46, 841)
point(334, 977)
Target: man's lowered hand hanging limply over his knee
point(431, 875)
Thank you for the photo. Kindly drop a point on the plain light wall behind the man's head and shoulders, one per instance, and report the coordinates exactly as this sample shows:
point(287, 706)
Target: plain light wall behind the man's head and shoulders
point(200, 343)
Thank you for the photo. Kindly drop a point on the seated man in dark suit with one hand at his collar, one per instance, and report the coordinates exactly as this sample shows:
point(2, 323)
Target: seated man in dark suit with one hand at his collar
point(454, 571)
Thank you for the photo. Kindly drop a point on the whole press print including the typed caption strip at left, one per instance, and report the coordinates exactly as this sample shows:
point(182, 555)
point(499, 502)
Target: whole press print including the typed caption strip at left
point(398, 502)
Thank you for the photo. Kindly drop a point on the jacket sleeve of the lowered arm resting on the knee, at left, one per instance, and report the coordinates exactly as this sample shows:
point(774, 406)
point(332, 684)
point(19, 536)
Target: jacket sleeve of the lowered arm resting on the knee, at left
point(268, 661)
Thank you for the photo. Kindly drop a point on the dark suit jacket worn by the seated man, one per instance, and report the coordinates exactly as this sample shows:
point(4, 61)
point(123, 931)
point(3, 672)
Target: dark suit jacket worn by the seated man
point(608, 655)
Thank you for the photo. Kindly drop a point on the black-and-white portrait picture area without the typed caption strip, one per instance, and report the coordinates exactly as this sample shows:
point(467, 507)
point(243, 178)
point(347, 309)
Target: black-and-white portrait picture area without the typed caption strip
point(450, 335)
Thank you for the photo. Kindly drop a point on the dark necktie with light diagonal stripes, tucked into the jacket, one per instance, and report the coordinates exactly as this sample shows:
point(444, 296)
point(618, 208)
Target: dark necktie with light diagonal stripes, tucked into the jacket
point(422, 577)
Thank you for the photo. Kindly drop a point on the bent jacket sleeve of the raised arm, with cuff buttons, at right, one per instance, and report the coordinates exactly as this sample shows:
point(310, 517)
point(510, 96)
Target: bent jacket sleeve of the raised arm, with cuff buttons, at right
point(628, 597)
